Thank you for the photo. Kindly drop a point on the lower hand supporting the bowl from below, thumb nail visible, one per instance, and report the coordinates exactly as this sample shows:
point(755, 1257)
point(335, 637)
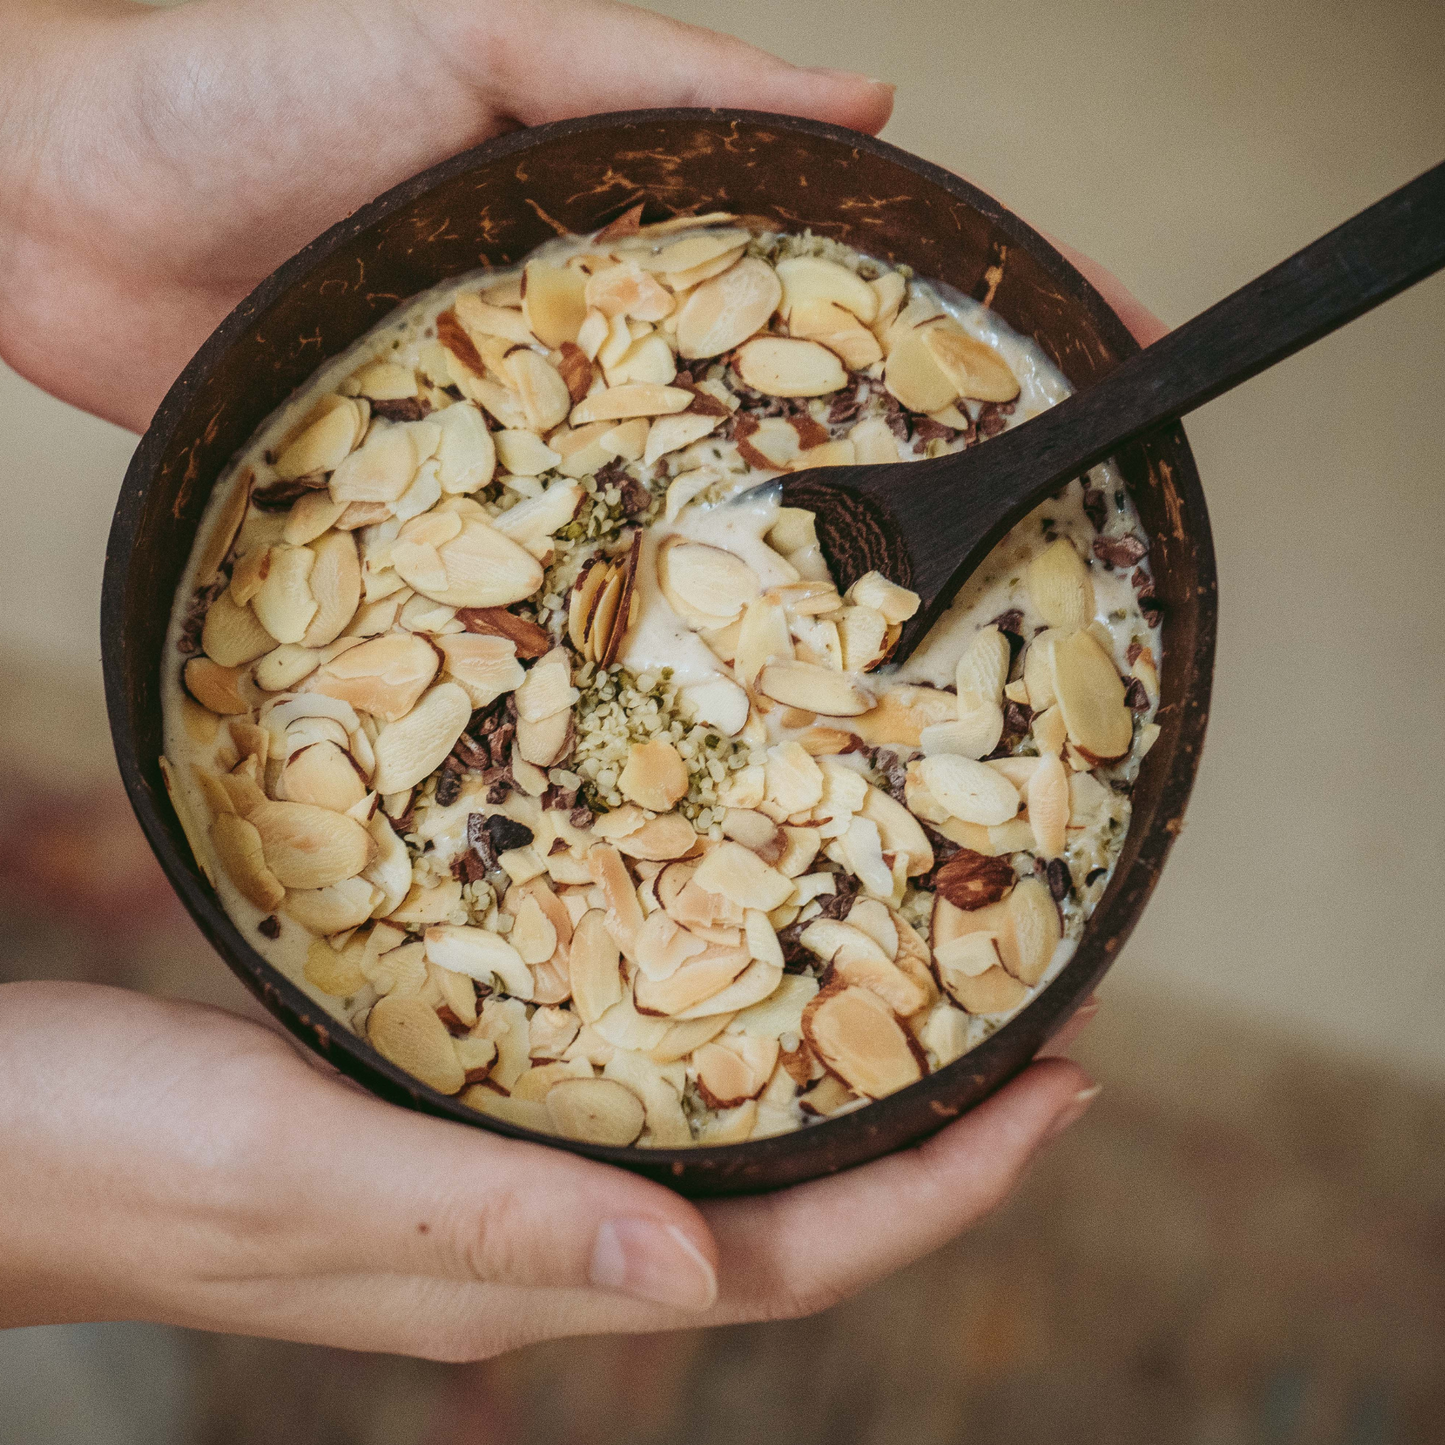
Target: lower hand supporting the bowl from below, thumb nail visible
point(177, 1164)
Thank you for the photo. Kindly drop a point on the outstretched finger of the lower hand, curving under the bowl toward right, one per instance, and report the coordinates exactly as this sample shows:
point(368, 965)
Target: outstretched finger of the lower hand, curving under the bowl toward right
point(808, 1248)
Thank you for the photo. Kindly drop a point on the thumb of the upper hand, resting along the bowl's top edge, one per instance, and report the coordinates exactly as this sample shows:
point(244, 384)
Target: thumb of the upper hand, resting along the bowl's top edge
point(616, 57)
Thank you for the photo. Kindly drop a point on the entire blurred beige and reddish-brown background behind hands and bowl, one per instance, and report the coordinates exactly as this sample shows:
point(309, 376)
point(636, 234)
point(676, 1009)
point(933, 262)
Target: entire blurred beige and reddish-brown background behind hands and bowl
point(1242, 1245)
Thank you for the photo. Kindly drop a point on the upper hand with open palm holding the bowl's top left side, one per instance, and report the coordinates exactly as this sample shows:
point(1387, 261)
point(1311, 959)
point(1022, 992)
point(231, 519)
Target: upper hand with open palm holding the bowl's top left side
point(155, 165)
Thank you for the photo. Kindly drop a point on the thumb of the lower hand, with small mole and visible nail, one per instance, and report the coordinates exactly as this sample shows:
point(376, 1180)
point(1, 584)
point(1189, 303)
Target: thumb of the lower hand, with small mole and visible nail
point(379, 1189)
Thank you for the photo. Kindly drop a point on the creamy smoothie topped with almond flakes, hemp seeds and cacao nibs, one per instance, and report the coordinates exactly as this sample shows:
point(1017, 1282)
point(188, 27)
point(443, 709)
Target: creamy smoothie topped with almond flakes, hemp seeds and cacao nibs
point(517, 719)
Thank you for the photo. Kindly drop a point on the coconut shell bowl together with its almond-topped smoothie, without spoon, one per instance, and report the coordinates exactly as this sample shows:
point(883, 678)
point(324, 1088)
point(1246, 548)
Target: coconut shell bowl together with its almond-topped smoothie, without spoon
point(522, 751)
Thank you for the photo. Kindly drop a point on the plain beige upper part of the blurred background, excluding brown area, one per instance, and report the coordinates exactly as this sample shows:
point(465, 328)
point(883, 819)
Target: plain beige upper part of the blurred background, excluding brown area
point(1187, 148)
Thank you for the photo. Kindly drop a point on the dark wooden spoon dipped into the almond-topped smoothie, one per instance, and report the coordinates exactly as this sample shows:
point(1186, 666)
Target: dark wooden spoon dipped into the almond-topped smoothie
point(930, 524)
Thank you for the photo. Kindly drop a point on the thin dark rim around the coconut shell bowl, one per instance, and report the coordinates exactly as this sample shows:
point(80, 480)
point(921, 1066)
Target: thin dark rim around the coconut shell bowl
point(329, 1037)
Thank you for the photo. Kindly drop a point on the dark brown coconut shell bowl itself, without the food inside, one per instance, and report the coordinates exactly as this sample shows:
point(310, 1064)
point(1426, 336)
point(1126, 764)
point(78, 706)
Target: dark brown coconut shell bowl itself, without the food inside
point(491, 207)
